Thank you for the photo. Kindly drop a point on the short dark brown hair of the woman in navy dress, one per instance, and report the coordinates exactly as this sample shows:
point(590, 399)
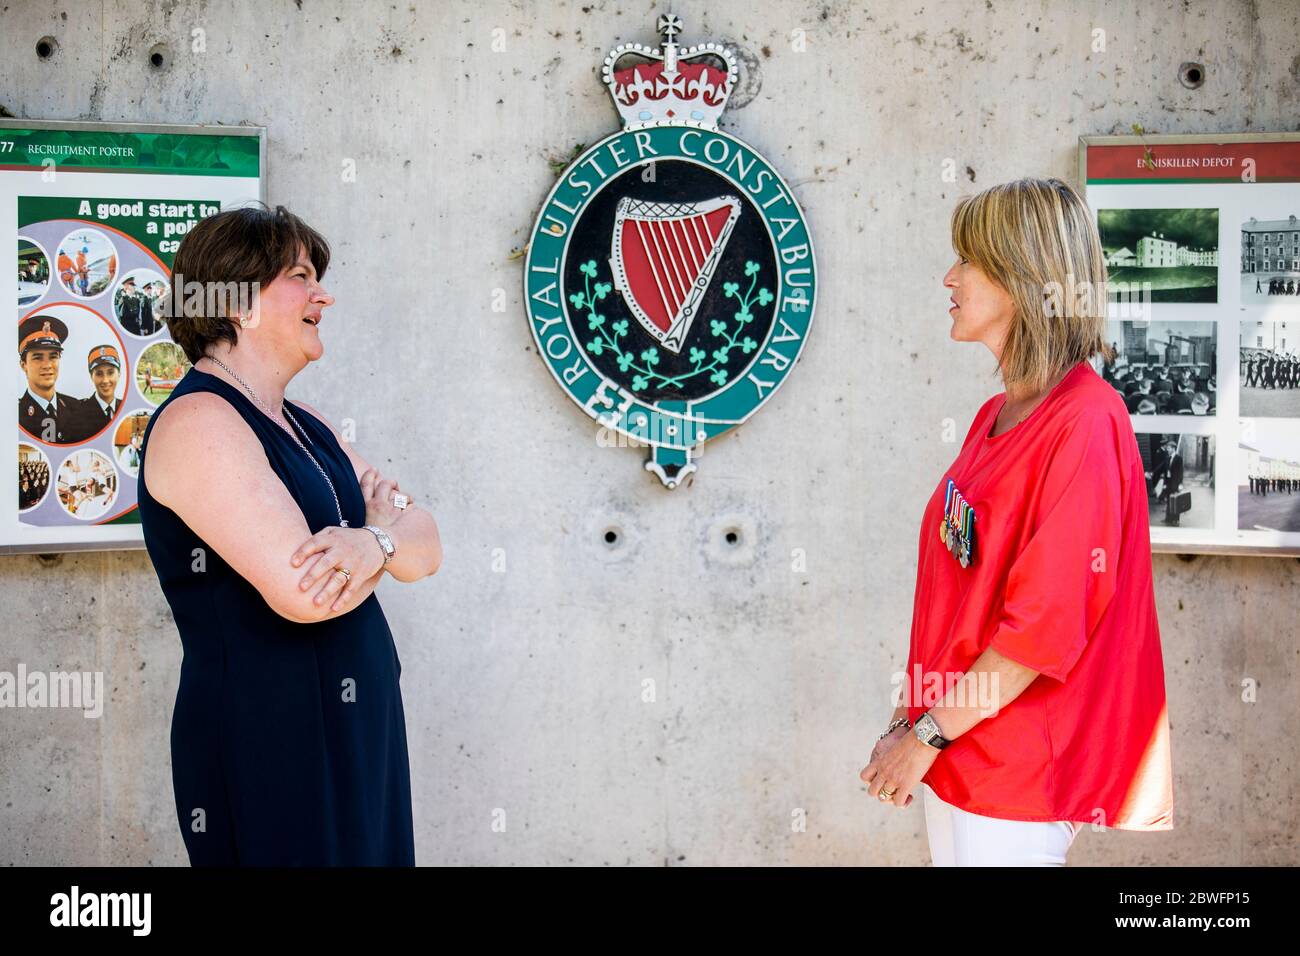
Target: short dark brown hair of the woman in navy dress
point(229, 250)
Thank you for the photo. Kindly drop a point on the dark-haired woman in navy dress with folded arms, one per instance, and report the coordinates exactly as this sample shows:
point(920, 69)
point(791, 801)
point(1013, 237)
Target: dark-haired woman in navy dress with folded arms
point(270, 534)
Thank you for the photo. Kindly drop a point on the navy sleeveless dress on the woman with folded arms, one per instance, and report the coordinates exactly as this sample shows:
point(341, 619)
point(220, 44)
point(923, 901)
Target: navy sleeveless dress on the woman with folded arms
point(288, 741)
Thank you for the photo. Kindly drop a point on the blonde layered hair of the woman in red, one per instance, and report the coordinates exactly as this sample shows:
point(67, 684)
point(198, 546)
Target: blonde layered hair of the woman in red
point(1037, 240)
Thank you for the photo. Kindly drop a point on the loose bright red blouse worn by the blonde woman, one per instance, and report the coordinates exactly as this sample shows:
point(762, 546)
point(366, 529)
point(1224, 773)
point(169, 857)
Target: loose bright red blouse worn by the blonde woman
point(1060, 582)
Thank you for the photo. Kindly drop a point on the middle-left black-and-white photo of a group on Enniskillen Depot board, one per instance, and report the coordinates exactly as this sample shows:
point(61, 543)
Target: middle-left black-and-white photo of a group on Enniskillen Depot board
point(1167, 367)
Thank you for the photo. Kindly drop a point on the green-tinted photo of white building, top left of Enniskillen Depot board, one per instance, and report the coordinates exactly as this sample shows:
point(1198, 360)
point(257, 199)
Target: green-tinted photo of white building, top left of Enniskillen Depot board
point(1173, 253)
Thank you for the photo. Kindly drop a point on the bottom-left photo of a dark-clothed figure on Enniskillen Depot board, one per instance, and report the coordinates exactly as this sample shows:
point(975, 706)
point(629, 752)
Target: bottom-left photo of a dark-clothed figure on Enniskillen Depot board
point(1180, 479)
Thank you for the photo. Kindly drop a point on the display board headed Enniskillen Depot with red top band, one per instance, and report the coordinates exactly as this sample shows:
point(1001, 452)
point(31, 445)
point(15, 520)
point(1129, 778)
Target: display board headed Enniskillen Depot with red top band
point(1202, 237)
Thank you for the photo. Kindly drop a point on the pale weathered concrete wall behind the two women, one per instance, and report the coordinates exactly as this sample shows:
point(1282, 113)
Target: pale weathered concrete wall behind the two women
point(525, 689)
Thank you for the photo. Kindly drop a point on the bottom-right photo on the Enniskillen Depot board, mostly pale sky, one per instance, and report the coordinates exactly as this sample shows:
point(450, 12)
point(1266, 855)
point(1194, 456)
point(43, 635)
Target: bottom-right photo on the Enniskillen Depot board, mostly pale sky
point(1268, 498)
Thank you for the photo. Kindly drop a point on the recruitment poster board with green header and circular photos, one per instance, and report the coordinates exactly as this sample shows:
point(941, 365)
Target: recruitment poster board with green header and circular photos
point(97, 213)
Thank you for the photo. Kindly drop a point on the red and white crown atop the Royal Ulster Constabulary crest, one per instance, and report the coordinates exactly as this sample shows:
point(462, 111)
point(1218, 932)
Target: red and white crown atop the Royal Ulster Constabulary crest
point(673, 86)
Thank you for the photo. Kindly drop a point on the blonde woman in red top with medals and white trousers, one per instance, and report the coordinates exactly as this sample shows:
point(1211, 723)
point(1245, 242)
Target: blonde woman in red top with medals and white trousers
point(1034, 698)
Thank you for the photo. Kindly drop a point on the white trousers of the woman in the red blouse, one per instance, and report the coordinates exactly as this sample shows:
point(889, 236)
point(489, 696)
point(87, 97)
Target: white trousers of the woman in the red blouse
point(959, 838)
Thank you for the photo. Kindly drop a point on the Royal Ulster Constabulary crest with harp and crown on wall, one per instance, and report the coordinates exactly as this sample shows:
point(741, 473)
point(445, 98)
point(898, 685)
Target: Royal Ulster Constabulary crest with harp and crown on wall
point(670, 276)
